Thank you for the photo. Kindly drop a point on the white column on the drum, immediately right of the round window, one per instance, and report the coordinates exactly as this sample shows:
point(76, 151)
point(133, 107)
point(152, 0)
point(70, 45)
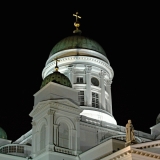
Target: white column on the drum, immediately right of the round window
point(103, 105)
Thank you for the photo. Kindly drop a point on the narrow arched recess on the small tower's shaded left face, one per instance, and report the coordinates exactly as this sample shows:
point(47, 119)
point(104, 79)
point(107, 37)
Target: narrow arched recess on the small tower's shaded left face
point(43, 137)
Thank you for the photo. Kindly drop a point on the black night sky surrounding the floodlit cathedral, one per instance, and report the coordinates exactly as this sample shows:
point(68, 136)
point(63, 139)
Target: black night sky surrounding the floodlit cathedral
point(129, 33)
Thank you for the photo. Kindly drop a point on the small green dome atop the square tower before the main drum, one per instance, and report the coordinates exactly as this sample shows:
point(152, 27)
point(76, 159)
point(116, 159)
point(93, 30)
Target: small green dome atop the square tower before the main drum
point(57, 77)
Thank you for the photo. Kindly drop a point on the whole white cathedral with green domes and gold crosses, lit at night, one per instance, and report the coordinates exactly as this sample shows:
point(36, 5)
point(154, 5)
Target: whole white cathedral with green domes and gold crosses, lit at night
point(72, 116)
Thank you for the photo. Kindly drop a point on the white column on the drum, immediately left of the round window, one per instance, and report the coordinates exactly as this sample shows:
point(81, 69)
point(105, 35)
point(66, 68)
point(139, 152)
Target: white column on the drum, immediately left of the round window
point(88, 86)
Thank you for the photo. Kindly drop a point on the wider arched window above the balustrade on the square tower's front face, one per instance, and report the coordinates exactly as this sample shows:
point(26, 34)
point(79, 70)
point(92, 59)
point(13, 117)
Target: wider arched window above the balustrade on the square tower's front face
point(63, 135)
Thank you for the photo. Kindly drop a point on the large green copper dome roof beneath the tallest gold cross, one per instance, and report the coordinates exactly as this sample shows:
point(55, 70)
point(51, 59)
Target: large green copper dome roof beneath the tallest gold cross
point(77, 41)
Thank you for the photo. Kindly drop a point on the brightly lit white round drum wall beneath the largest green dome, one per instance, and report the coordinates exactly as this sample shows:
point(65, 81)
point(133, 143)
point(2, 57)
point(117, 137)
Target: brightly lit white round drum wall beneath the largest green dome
point(88, 67)
